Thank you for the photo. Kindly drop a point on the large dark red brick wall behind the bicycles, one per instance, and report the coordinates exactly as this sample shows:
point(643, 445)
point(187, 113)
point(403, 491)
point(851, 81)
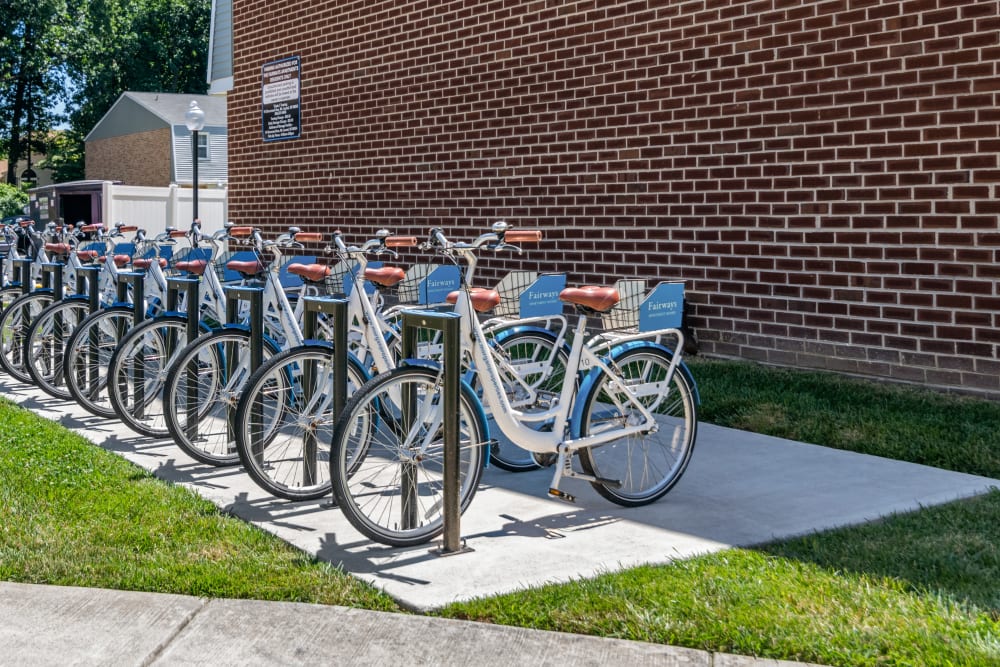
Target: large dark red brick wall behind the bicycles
point(823, 174)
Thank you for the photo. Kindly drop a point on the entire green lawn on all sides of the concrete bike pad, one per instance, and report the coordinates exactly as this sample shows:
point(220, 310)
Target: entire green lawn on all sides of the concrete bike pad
point(916, 589)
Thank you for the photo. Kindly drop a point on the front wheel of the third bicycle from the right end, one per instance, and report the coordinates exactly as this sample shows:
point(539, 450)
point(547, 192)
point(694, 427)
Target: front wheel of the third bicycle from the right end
point(214, 394)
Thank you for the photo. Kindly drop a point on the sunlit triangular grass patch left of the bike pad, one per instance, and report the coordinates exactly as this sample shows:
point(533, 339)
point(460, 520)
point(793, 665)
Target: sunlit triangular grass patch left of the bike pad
point(74, 514)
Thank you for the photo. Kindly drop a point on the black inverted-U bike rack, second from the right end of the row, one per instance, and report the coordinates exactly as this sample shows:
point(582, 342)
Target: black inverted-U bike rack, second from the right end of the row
point(337, 310)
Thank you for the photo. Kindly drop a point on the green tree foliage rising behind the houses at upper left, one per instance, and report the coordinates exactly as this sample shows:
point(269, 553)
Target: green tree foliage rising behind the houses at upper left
point(86, 53)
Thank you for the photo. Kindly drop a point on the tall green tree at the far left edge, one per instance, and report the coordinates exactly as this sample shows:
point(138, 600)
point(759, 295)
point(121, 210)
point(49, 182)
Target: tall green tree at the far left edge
point(31, 39)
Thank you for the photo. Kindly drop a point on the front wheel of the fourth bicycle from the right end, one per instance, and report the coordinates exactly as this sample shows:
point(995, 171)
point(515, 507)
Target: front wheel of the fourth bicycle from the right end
point(135, 390)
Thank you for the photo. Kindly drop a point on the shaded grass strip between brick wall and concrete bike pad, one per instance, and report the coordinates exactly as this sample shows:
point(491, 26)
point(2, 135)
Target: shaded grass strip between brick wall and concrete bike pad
point(945, 431)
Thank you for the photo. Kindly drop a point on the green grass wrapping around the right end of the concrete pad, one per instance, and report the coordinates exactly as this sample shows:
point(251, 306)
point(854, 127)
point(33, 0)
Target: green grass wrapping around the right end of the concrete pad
point(921, 588)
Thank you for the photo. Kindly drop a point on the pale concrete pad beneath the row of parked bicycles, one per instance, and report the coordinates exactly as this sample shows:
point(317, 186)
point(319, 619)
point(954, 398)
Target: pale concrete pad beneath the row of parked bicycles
point(740, 489)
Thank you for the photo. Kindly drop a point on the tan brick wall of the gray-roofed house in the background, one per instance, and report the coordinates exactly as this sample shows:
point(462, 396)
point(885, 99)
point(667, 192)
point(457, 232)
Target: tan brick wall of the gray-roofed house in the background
point(142, 158)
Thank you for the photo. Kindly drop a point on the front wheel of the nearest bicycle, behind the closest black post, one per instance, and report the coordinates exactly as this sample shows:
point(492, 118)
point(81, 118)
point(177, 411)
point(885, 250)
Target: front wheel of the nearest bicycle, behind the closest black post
point(387, 466)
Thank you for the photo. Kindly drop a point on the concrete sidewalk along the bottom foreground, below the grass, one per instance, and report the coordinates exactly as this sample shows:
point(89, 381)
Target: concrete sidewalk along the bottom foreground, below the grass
point(50, 625)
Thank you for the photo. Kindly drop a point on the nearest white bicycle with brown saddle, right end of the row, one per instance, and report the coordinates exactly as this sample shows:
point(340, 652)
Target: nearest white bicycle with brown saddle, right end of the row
point(631, 421)
